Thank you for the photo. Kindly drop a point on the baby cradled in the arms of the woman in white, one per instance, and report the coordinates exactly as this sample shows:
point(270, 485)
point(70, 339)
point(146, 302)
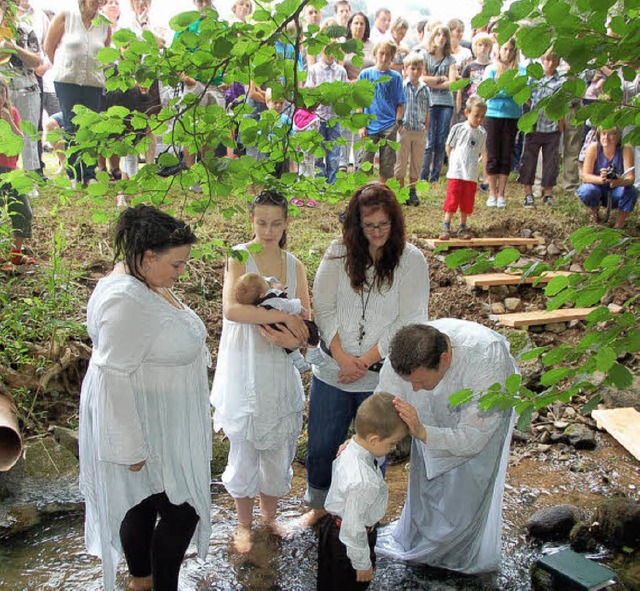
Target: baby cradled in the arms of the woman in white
point(255, 290)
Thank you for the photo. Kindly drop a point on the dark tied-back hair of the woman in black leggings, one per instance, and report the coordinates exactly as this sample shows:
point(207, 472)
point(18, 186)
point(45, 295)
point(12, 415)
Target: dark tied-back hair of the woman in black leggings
point(143, 228)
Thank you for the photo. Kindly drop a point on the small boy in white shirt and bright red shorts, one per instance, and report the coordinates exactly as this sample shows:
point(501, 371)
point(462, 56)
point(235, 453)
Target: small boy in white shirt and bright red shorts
point(465, 144)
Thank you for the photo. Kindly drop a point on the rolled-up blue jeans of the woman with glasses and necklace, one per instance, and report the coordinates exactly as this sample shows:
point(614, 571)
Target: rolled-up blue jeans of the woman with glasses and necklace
point(331, 411)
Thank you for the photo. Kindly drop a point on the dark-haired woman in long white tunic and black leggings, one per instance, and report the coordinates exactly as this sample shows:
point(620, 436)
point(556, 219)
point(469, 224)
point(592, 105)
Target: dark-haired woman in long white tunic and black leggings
point(145, 420)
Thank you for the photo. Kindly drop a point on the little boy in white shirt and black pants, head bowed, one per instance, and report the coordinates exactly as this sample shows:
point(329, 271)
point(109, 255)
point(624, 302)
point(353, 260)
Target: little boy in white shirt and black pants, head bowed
point(357, 498)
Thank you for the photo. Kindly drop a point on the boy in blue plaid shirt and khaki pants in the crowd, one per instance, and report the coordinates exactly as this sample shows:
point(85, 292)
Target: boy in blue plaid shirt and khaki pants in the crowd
point(415, 123)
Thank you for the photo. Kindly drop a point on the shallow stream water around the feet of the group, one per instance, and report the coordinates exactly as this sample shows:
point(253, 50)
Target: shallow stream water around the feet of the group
point(51, 556)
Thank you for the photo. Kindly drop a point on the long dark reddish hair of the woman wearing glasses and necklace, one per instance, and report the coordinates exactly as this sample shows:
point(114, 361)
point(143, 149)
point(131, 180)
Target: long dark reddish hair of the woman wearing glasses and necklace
point(358, 259)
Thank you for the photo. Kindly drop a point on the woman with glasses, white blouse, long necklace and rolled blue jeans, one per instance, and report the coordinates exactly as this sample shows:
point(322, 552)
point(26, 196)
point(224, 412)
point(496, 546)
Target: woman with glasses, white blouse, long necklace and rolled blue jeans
point(368, 285)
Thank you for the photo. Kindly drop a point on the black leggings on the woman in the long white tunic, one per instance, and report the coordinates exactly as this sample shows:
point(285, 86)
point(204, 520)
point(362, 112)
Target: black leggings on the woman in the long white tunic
point(157, 547)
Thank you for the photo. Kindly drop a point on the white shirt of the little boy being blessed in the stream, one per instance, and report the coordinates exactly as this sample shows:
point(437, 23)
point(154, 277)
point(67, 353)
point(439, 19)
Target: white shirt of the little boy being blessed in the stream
point(358, 495)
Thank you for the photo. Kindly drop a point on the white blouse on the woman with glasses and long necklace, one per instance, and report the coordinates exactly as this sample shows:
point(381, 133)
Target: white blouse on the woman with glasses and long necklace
point(377, 315)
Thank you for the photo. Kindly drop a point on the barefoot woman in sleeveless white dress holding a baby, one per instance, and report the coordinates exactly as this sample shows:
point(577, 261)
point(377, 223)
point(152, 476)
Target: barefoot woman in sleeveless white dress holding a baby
point(257, 391)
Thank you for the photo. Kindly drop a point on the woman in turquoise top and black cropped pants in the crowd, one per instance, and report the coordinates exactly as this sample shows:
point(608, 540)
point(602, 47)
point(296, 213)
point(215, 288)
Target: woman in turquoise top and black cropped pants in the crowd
point(501, 123)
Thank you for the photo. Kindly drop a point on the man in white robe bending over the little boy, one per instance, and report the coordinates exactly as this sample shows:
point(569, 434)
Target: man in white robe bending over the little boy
point(452, 518)
